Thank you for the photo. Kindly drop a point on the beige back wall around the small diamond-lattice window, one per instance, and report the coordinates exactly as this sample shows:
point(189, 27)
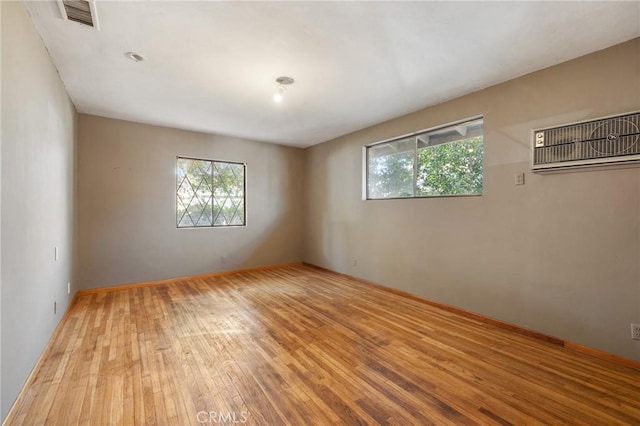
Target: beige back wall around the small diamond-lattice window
point(126, 204)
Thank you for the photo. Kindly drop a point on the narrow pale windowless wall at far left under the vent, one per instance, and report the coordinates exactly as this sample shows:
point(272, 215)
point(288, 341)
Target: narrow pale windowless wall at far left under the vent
point(37, 198)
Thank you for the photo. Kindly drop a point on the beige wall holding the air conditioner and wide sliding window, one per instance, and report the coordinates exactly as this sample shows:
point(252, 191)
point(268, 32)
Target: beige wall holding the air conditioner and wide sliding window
point(560, 254)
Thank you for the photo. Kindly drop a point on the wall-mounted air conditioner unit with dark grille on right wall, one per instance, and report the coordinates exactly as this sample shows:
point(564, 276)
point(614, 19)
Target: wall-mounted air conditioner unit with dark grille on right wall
point(611, 140)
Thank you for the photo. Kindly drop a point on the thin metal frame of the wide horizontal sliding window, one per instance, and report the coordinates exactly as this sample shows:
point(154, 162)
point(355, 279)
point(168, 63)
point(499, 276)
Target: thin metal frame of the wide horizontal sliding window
point(366, 148)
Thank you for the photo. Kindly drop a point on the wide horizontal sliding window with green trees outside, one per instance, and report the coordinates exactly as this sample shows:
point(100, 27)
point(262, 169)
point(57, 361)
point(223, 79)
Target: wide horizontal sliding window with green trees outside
point(446, 161)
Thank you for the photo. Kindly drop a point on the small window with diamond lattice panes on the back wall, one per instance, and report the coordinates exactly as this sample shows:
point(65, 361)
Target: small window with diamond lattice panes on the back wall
point(209, 193)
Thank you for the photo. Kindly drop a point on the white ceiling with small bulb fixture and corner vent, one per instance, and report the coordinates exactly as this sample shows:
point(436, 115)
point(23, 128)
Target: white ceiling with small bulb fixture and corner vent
point(211, 66)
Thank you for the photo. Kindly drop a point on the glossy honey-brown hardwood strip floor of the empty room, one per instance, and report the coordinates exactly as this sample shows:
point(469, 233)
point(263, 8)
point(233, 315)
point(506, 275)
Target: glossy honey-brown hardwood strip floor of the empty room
point(304, 347)
